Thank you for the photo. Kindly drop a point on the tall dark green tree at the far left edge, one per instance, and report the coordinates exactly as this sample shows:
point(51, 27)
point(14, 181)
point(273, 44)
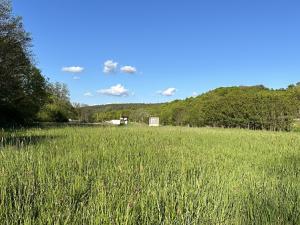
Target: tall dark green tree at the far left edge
point(22, 86)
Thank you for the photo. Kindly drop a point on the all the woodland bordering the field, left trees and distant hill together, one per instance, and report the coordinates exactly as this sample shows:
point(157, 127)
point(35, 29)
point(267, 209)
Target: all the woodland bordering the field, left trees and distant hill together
point(26, 96)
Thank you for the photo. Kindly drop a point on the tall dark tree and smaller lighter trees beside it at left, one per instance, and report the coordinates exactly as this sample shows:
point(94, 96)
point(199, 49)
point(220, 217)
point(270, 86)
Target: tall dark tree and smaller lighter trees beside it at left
point(25, 94)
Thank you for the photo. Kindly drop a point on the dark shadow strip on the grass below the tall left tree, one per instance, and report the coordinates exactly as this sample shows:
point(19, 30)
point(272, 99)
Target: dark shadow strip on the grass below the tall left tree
point(21, 141)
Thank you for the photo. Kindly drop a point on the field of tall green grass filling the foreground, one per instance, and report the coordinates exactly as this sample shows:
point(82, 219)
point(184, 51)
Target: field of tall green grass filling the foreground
point(141, 175)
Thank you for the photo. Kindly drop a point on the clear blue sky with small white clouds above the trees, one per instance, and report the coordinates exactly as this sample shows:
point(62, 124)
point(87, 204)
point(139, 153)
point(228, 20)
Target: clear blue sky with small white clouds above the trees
point(166, 49)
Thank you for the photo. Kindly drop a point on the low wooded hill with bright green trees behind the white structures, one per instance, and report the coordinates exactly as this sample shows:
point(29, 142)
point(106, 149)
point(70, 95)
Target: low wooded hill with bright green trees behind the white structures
point(253, 107)
